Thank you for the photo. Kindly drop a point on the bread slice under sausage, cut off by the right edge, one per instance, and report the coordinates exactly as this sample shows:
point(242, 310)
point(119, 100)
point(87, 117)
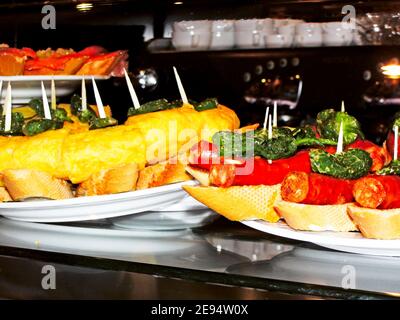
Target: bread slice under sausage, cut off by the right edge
point(376, 223)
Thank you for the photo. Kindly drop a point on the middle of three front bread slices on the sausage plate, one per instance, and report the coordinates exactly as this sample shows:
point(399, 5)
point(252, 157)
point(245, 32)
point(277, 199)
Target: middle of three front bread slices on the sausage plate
point(310, 217)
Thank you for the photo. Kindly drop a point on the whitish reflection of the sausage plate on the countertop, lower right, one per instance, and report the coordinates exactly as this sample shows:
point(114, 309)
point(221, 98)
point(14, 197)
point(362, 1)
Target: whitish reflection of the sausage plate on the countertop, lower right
point(316, 265)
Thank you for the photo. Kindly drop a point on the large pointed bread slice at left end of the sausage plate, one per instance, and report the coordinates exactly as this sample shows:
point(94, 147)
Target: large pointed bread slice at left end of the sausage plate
point(239, 203)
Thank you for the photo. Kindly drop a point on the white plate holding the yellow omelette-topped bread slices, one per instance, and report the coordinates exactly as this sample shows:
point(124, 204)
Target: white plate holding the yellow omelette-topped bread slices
point(94, 207)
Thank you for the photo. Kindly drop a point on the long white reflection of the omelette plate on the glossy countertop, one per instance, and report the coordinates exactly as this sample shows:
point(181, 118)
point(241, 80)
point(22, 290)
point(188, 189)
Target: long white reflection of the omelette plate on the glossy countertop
point(180, 248)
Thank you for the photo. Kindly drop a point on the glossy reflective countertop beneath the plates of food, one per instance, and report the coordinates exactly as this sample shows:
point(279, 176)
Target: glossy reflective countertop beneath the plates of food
point(223, 252)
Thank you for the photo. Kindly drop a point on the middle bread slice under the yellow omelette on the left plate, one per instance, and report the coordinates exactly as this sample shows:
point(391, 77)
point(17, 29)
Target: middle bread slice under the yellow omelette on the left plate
point(119, 179)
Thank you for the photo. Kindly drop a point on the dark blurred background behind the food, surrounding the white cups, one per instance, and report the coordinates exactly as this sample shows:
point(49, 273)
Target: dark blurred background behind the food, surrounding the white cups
point(241, 79)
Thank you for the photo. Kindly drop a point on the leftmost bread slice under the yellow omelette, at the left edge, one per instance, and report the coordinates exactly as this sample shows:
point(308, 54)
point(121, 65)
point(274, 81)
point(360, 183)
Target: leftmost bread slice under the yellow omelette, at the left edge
point(23, 183)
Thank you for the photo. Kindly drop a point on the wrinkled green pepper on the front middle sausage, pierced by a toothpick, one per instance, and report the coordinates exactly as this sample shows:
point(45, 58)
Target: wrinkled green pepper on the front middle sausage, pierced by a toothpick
point(351, 164)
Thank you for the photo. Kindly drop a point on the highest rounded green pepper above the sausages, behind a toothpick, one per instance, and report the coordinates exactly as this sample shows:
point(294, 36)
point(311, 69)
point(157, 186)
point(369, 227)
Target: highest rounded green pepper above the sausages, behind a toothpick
point(328, 126)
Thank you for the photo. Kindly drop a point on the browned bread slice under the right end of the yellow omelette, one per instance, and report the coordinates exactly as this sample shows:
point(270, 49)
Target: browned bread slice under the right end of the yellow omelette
point(162, 173)
